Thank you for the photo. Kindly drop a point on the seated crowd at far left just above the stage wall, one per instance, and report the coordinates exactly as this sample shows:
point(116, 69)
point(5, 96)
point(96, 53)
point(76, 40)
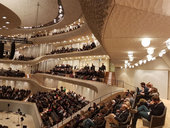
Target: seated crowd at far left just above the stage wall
point(7, 92)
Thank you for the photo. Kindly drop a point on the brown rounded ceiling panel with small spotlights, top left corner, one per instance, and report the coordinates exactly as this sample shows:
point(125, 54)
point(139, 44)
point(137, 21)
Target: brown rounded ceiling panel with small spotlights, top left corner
point(8, 19)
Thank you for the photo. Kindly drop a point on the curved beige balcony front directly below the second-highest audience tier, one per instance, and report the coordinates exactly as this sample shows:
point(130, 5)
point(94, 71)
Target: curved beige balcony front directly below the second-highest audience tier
point(96, 51)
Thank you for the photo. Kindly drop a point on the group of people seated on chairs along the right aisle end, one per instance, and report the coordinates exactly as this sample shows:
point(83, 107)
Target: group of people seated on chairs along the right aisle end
point(147, 103)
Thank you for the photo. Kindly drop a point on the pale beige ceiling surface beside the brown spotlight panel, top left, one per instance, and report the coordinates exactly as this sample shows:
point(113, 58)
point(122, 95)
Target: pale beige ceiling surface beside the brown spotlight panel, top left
point(27, 10)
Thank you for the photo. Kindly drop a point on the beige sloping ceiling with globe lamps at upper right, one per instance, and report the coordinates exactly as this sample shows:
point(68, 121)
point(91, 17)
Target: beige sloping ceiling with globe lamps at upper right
point(132, 20)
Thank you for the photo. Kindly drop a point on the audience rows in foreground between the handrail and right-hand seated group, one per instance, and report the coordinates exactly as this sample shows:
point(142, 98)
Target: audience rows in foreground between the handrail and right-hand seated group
point(101, 115)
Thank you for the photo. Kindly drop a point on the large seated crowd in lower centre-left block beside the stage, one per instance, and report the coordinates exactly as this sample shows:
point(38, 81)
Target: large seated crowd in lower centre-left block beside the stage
point(57, 105)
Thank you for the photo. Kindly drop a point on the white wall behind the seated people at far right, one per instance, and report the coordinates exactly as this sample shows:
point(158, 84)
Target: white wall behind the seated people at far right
point(156, 72)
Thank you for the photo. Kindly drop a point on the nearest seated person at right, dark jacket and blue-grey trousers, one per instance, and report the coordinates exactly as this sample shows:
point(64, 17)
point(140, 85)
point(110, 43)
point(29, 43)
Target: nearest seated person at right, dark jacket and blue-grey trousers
point(156, 108)
